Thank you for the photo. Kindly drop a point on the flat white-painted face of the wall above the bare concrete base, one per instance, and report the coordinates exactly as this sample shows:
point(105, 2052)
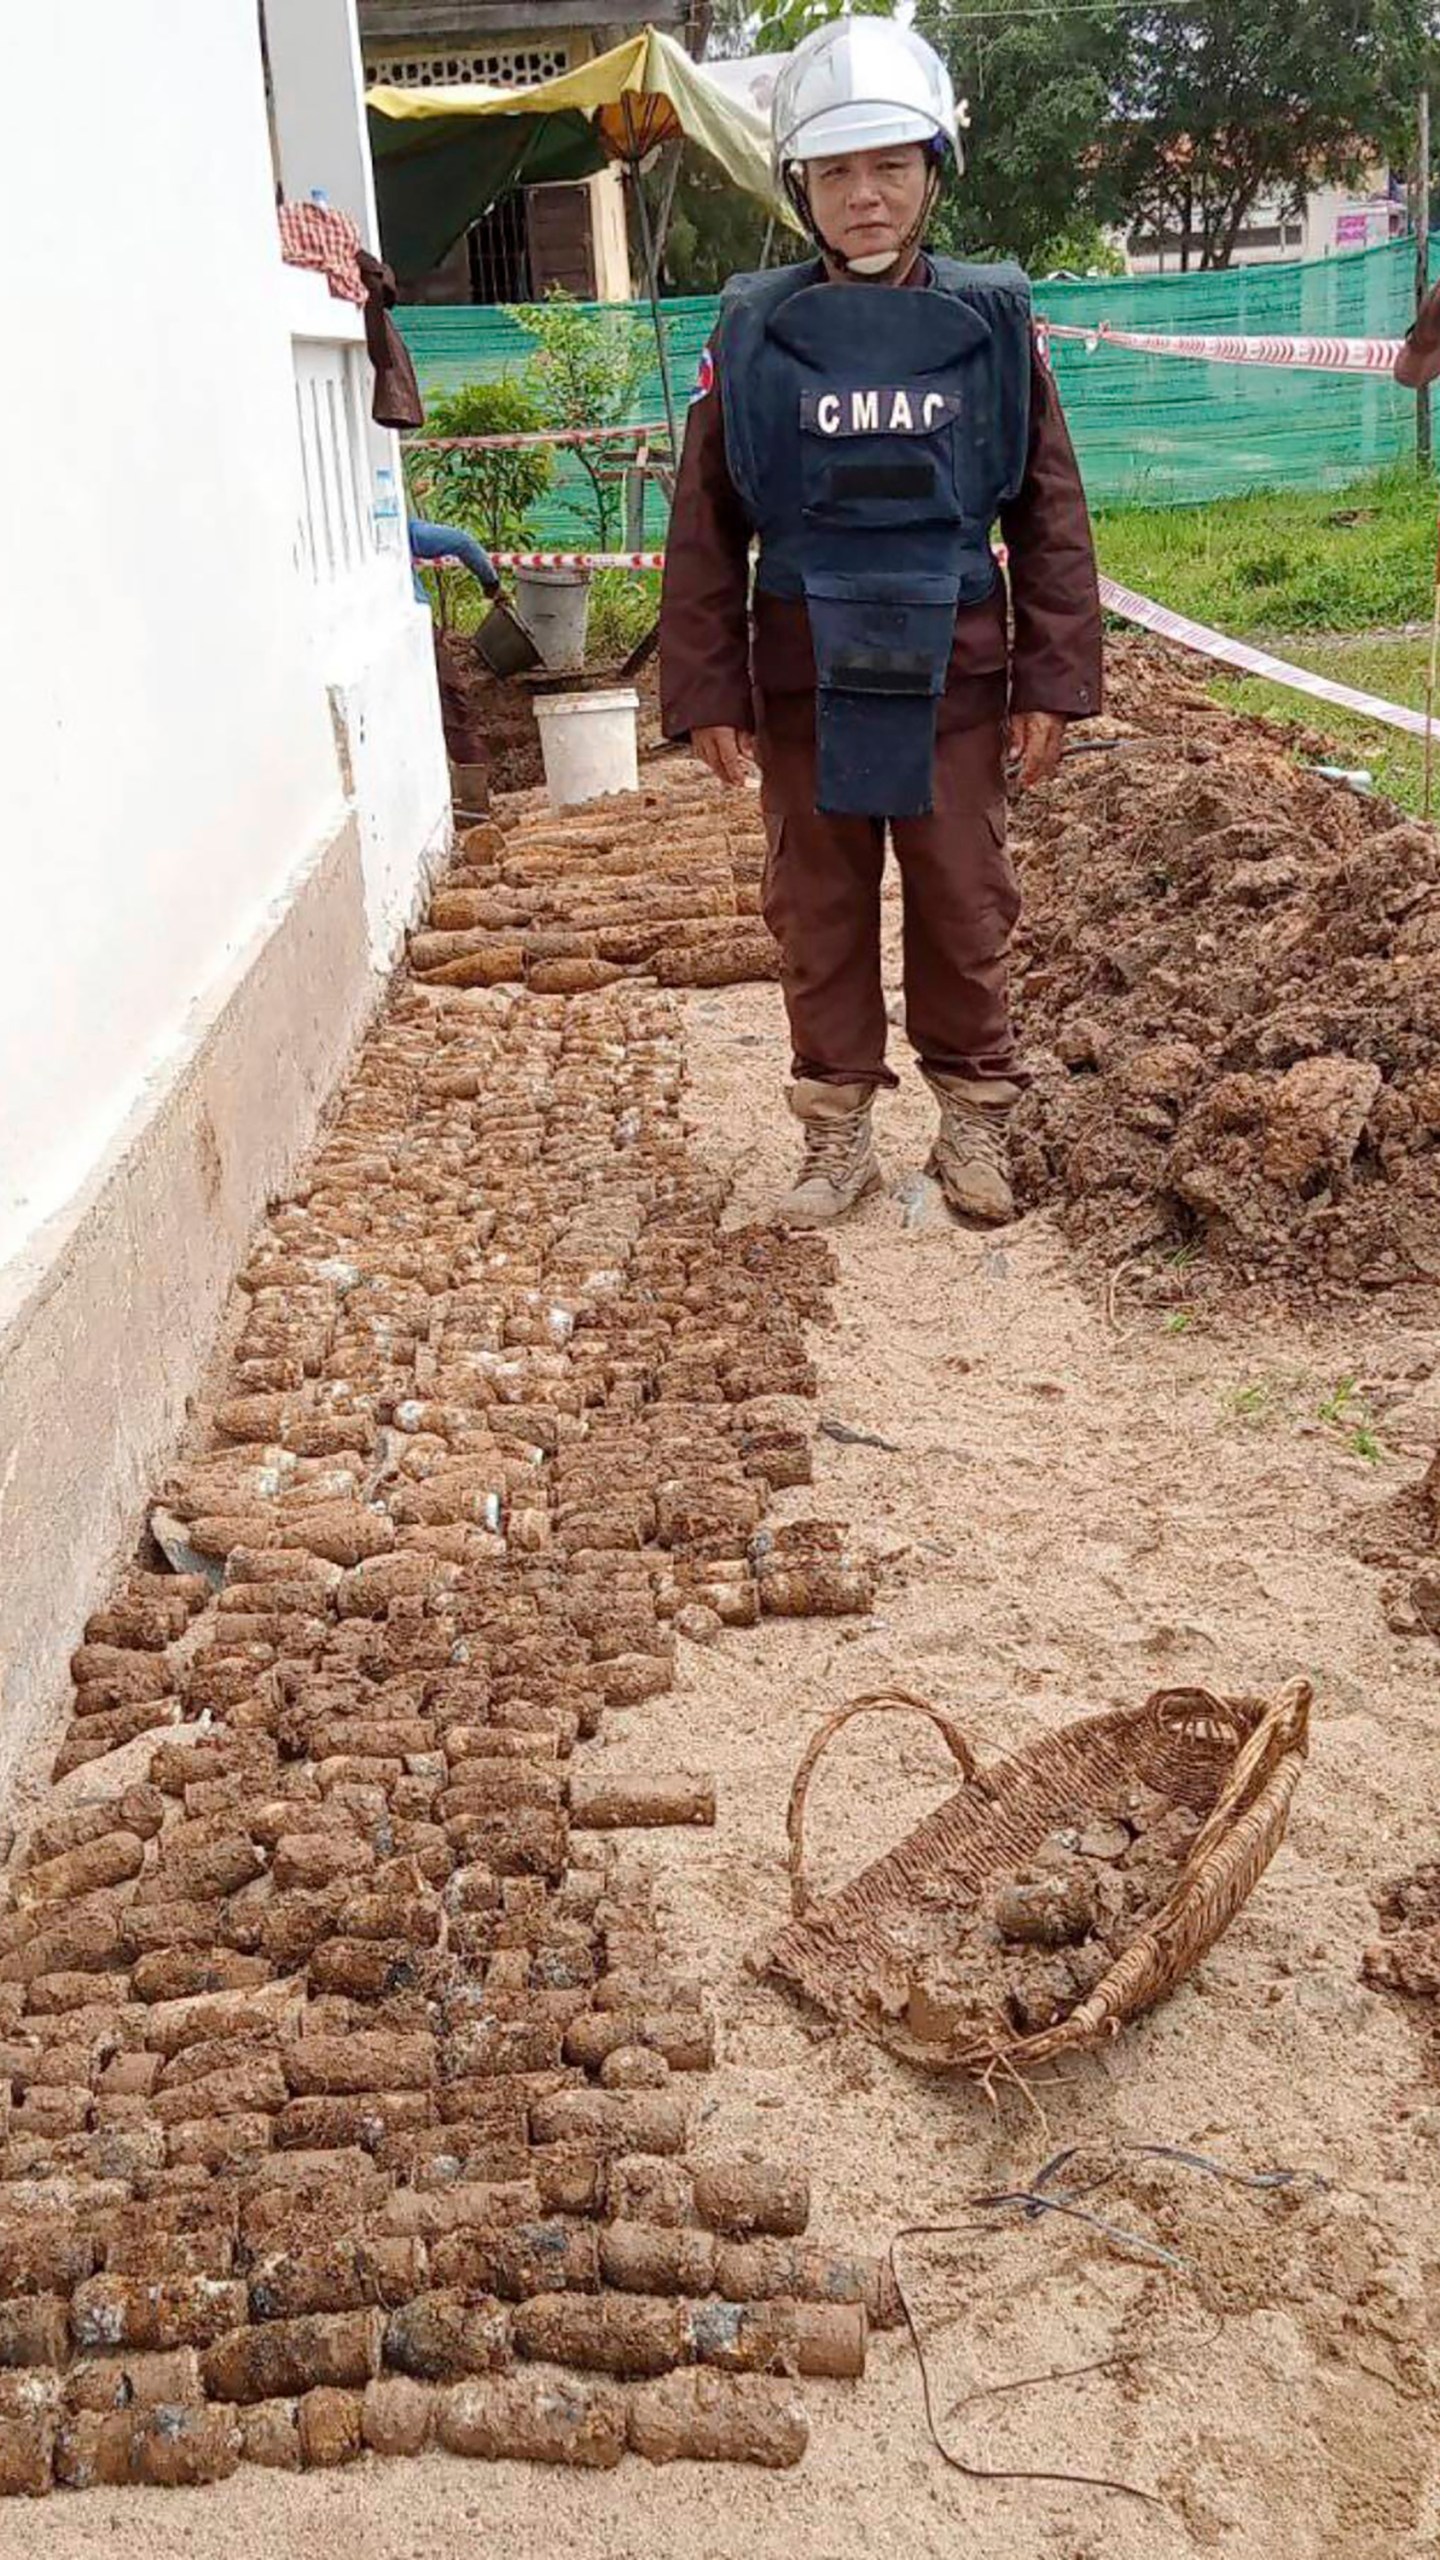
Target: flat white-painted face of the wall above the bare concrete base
point(165, 751)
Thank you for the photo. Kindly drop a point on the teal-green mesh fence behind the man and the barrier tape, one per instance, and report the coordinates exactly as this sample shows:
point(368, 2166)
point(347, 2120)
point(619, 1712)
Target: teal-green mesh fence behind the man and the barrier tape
point(1149, 429)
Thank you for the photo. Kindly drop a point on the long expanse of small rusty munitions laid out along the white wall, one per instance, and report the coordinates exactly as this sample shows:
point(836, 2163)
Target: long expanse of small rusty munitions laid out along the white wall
point(345, 2077)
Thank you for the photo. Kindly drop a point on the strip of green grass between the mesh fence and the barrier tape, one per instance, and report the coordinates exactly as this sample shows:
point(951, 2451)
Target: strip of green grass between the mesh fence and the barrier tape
point(1285, 562)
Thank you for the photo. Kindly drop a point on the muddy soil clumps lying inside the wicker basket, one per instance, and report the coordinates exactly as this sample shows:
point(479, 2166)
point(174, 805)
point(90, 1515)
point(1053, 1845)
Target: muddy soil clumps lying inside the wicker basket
point(1039, 1939)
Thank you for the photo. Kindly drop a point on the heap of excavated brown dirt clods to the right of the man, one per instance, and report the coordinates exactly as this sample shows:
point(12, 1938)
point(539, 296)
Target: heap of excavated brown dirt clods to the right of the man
point(1231, 997)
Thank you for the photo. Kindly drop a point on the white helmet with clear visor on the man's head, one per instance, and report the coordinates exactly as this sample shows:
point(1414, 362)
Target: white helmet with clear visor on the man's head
point(862, 86)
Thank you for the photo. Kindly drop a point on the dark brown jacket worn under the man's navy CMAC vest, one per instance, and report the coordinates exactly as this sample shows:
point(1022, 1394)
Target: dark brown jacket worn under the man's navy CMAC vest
point(724, 672)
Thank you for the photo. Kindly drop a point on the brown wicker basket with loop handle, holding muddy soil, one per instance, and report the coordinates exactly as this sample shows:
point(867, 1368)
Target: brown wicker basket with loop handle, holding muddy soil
point(1231, 1760)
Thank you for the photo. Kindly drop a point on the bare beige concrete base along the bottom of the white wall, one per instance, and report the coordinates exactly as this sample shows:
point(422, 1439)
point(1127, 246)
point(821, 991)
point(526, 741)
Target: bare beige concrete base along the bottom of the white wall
point(111, 1309)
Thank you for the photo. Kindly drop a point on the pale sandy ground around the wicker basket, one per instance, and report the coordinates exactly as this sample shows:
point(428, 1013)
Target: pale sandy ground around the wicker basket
point(1070, 1519)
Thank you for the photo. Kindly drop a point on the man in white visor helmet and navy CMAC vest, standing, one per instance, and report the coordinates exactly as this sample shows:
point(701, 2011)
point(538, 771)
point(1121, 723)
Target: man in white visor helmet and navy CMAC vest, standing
point(867, 419)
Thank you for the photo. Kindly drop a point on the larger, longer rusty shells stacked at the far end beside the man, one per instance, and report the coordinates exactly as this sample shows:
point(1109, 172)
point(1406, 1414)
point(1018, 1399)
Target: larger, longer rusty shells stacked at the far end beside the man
point(657, 884)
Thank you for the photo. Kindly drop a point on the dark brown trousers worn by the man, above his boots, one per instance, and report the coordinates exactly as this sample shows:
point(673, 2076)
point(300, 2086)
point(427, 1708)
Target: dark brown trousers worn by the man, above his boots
point(821, 902)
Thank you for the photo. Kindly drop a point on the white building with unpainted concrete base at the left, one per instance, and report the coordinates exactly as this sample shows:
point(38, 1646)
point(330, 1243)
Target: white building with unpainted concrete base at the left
point(222, 751)
